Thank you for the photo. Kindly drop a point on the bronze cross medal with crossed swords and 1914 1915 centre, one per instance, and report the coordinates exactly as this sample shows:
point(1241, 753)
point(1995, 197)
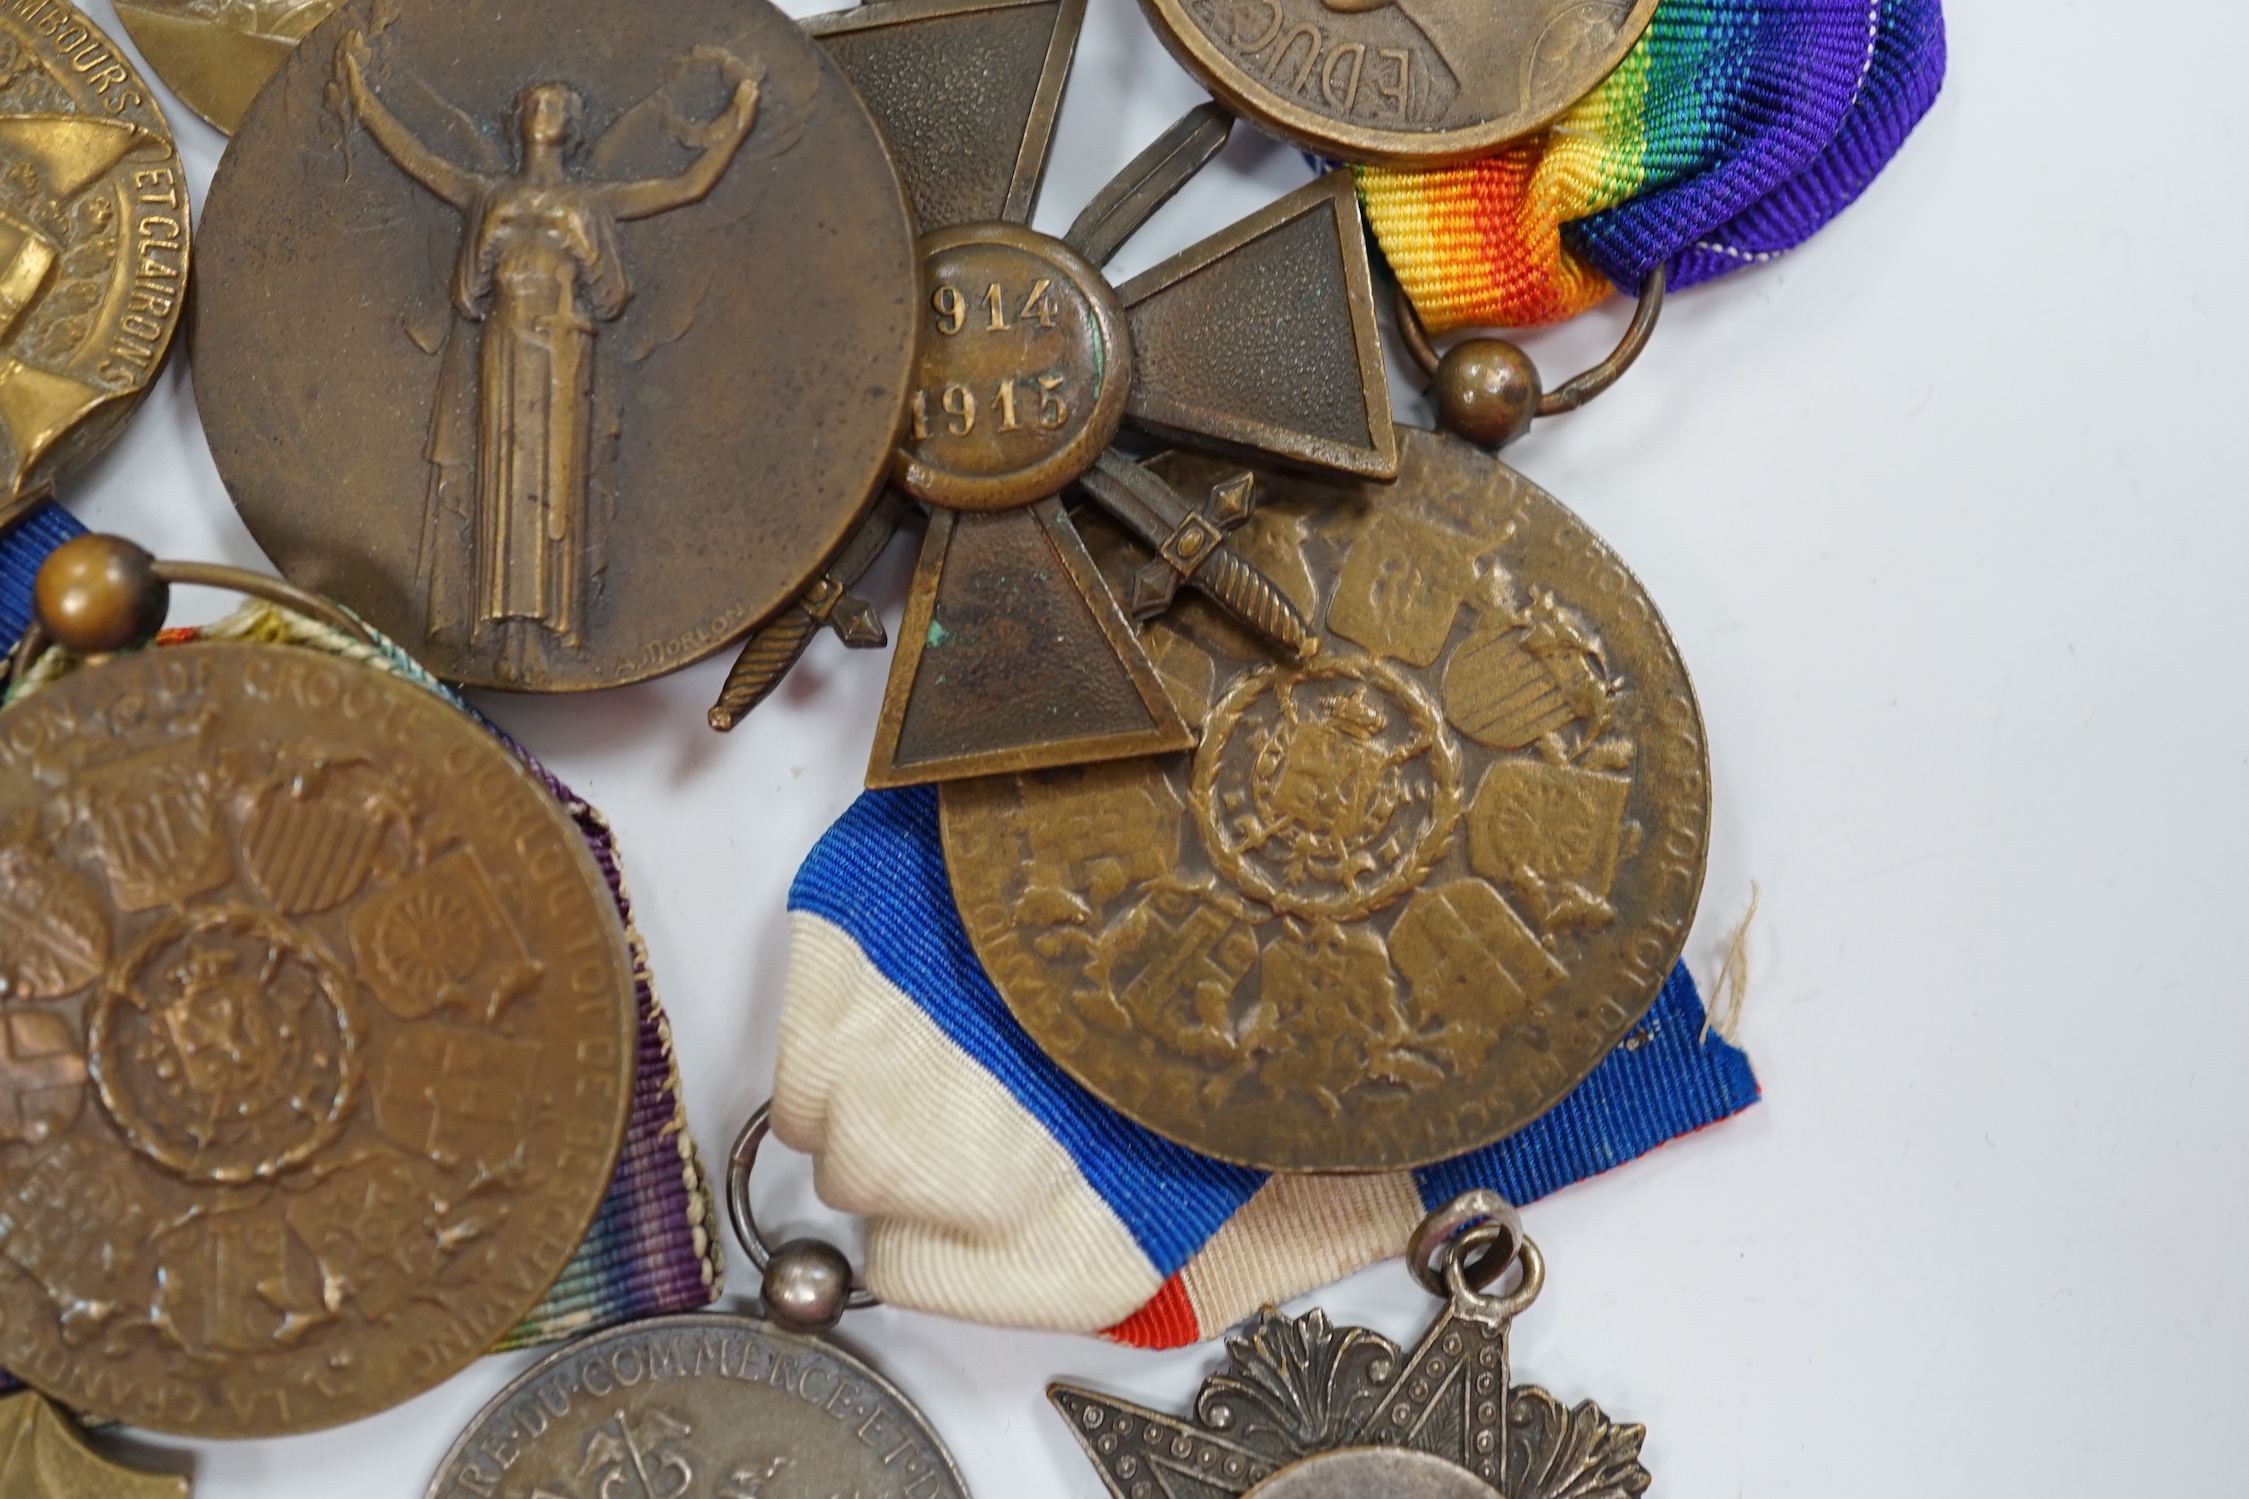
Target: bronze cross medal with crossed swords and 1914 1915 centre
point(1261, 343)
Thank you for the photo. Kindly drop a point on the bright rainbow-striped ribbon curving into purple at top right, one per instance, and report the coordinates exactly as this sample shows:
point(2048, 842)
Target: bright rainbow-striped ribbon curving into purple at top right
point(1733, 131)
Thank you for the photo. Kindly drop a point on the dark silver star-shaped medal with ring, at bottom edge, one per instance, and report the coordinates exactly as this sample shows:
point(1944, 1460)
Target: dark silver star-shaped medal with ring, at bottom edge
point(1310, 1410)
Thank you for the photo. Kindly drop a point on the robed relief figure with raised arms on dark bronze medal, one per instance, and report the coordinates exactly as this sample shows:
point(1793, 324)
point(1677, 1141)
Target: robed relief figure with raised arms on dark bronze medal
point(536, 275)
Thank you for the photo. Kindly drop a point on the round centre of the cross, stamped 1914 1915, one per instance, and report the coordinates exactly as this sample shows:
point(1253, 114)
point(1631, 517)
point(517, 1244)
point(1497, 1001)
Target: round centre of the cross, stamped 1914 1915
point(1024, 370)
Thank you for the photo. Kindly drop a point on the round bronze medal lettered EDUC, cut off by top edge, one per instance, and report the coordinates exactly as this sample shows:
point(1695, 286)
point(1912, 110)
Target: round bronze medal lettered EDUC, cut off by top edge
point(1409, 82)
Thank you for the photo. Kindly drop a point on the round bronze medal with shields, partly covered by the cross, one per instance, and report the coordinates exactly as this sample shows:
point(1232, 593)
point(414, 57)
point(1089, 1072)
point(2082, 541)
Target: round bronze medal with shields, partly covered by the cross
point(1407, 893)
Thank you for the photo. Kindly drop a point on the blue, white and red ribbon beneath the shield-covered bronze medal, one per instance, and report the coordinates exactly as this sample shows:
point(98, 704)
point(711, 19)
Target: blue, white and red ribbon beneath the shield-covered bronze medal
point(1000, 1190)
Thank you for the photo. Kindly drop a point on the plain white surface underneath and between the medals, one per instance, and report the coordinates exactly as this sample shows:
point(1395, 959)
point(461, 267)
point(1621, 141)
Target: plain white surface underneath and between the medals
point(1940, 514)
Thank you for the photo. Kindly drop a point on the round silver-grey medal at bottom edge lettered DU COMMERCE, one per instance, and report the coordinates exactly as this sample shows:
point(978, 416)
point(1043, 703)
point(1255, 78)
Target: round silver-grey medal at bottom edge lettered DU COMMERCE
point(698, 1406)
